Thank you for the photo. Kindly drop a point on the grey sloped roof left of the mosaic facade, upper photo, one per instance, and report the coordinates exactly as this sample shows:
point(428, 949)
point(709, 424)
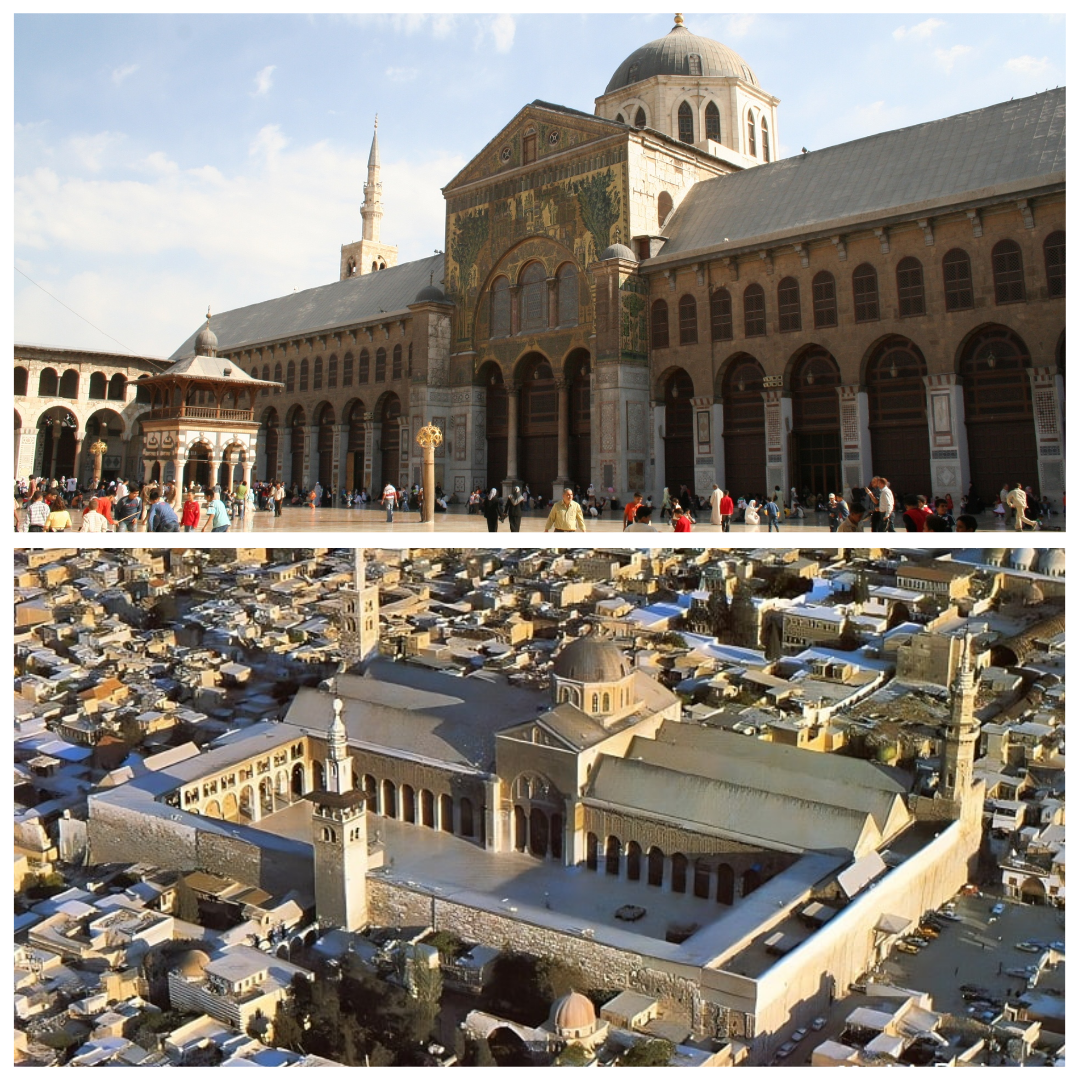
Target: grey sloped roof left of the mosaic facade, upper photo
point(327, 307)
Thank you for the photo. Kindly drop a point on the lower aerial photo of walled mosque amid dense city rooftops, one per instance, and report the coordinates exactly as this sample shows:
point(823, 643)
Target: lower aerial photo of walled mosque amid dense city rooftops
point(525, 806)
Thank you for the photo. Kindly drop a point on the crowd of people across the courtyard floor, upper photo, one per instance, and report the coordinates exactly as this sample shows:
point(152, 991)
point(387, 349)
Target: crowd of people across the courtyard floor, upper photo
point(45, 506)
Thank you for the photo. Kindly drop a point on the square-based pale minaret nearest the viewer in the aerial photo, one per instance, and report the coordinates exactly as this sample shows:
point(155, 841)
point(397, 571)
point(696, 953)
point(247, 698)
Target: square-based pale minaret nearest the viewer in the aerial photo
point(340, 836)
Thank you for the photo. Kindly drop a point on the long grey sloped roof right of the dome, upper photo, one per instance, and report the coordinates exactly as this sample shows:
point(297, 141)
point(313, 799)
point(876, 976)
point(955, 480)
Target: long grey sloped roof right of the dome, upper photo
point(1019, 143)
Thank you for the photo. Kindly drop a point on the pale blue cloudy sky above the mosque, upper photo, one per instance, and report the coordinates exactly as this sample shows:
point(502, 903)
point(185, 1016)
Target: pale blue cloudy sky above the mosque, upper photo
point(166, 164)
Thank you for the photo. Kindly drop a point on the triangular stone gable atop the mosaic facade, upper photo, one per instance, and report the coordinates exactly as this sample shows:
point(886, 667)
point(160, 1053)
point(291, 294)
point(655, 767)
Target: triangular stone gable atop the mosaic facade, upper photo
point(557, 129)
